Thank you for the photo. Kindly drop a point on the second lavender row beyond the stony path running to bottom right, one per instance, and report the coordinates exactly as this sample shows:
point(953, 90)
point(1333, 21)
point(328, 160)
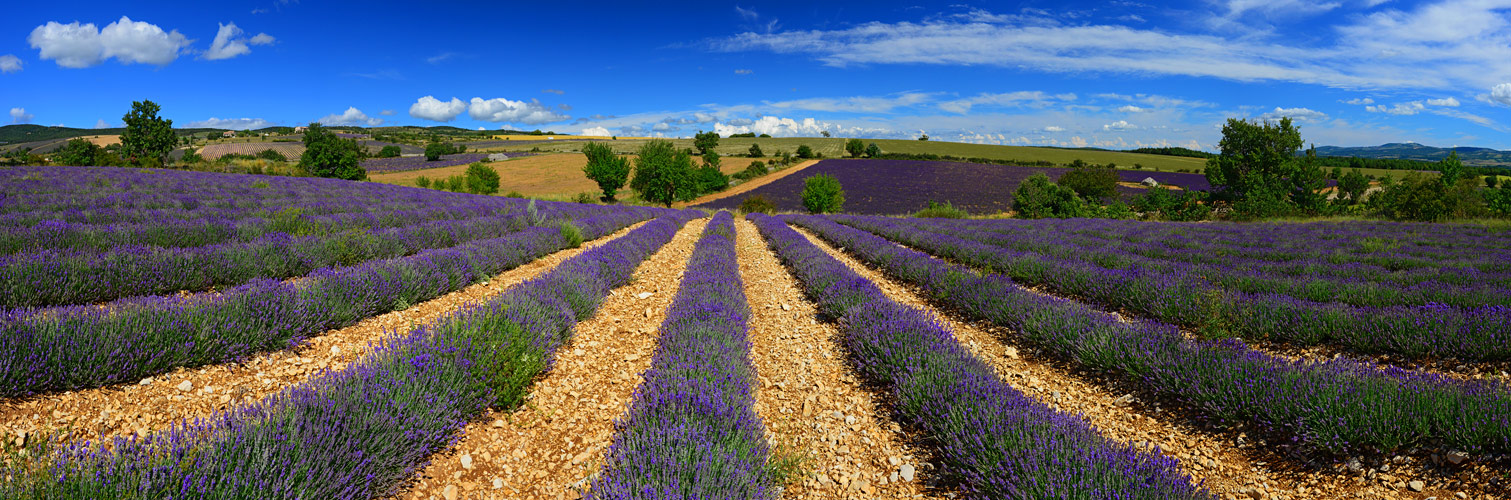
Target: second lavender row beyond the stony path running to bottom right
point(1191, 300)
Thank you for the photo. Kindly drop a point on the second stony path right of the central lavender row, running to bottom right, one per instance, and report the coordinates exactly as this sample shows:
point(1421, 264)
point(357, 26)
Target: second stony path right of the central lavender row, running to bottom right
point(1231, 463)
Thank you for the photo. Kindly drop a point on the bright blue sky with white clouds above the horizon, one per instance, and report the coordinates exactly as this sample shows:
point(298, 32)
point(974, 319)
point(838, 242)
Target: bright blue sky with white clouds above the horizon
point(1116, 75)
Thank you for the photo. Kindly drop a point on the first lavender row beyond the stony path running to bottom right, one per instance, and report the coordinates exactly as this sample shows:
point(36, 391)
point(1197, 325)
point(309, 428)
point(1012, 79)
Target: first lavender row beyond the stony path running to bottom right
point(1335, 407)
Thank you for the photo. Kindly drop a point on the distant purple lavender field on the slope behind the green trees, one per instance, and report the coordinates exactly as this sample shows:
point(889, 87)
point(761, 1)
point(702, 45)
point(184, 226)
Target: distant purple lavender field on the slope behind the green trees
point(906, 187)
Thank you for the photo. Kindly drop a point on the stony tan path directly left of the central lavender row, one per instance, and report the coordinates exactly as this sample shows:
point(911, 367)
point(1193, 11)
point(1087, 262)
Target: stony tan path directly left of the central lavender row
point(557, 443)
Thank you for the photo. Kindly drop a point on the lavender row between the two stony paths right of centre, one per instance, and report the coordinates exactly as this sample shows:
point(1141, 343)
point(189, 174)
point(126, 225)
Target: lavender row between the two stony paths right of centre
point(995, 440)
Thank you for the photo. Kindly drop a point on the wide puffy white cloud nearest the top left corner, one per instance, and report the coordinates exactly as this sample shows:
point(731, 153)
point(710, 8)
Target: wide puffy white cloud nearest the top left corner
point(82, 46)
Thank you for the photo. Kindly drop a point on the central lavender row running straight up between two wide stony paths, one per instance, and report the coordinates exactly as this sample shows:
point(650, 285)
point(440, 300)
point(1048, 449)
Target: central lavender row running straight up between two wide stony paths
point(691, 431)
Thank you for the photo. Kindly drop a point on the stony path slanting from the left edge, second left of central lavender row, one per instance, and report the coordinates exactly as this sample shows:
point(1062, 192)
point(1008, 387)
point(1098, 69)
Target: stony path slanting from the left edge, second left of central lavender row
point(190, 394)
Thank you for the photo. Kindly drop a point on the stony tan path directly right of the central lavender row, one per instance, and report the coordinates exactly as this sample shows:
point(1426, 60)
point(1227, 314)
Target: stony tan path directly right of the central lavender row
point(809, 397)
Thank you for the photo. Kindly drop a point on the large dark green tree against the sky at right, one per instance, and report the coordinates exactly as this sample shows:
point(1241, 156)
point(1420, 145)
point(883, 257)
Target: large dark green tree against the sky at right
point(1256, 164)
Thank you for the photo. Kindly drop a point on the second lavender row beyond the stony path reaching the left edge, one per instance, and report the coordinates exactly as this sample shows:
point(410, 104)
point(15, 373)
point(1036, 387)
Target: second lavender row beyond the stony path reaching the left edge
point(51, 279)
